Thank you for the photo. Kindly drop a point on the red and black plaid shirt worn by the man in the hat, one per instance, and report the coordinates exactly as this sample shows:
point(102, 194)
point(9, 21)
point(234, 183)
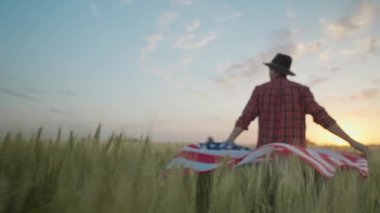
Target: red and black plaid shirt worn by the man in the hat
point(281, 106)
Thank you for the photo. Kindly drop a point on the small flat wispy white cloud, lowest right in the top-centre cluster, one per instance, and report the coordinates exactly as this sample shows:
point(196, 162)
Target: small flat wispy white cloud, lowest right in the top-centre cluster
point(190, 41)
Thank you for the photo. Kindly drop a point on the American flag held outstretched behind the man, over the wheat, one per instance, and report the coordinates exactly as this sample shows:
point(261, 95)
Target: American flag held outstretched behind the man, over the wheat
point(206, 157)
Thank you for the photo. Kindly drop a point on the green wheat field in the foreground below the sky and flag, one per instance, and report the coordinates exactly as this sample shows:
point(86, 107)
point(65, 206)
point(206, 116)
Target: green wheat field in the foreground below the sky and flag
point(121, 175)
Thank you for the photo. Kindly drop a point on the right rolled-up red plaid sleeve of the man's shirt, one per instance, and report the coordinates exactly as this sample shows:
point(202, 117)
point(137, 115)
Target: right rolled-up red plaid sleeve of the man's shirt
point(320, 116)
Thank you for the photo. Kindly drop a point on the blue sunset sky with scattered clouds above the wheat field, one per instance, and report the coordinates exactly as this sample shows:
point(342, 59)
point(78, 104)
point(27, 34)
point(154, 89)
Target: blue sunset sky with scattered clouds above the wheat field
point(183, 70)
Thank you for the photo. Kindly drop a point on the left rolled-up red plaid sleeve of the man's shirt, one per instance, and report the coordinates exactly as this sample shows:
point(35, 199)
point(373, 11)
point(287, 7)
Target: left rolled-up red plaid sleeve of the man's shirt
point(250, 112)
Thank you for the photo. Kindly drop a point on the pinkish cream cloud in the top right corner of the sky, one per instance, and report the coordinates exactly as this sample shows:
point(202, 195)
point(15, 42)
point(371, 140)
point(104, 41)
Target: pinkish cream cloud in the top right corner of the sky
point(363, 14)
